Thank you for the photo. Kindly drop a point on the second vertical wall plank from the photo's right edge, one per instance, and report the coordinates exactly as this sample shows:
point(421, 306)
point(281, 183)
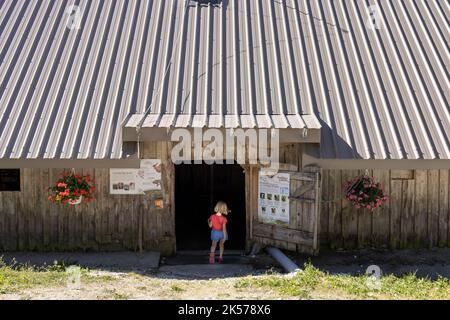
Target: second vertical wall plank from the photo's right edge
point(433, 207)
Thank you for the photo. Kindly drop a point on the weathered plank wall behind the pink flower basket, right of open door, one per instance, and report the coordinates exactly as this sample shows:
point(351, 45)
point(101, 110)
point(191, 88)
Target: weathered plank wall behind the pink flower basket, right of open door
point(417, 215)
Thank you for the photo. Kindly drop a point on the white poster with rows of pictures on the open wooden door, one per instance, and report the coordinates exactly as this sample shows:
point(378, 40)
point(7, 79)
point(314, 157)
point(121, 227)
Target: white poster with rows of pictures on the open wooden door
point(273, 207)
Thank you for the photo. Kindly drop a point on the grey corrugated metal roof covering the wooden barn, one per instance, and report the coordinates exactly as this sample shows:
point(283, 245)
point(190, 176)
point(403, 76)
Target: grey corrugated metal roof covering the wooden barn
point(377, 94)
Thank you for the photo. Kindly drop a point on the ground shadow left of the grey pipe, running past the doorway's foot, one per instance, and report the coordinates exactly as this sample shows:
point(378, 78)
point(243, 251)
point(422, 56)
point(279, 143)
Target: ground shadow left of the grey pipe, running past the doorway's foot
point(190, 266)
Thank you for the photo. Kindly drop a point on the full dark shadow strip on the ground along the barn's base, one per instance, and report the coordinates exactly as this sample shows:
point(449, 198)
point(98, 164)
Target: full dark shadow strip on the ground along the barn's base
point(424, 263)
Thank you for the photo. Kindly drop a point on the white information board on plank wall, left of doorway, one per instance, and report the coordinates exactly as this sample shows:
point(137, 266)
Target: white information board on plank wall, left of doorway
point(136, 181)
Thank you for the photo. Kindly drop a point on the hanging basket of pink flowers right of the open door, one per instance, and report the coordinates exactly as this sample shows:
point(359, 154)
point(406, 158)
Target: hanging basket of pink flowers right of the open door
point(364, 192)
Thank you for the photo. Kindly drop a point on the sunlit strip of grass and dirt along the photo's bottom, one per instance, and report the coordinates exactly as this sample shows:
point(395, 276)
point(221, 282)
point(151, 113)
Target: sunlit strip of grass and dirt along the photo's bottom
point(25, 282)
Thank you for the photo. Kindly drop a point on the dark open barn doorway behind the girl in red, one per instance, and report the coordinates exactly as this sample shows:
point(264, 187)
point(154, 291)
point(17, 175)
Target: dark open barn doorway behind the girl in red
point(197, 190)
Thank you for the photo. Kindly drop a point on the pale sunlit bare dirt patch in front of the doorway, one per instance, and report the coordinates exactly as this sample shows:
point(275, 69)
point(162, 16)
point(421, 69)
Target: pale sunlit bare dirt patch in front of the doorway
point(110, 285)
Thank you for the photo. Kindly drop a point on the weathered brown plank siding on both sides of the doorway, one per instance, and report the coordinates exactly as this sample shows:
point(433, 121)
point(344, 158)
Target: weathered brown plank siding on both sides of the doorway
point(417, 215)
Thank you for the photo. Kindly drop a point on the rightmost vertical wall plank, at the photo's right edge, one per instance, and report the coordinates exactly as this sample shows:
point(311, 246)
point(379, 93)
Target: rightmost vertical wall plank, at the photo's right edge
point(443, 207)
